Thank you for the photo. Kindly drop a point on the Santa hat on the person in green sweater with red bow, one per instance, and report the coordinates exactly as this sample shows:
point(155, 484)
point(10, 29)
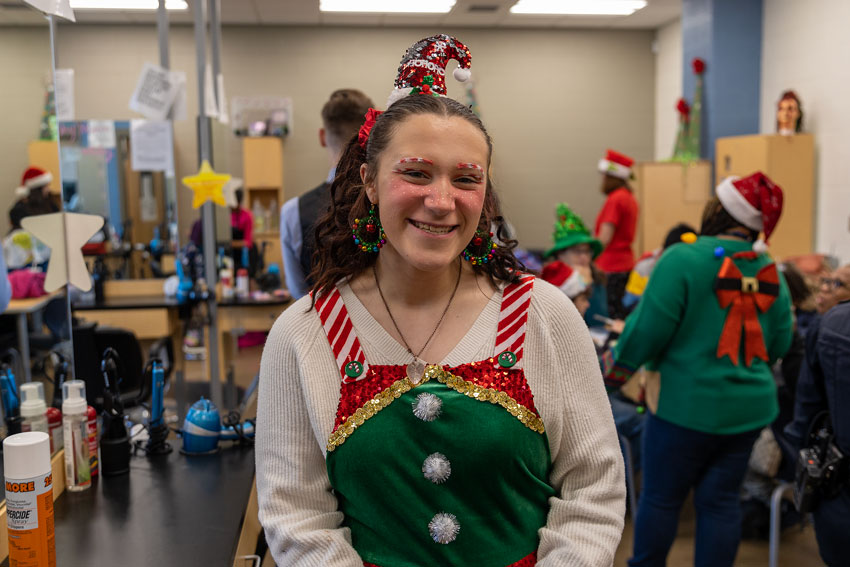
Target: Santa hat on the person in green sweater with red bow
point(754, 201)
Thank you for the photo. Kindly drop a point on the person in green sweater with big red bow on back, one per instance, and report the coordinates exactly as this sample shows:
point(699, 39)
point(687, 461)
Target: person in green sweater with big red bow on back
point(713, 318)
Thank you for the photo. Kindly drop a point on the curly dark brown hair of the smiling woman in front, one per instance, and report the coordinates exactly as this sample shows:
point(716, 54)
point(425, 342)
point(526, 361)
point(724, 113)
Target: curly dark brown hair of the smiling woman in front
point(337, 256)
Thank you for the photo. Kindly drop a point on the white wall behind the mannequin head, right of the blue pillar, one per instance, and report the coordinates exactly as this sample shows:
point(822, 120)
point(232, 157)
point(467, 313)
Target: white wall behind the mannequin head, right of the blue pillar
point(806, 49)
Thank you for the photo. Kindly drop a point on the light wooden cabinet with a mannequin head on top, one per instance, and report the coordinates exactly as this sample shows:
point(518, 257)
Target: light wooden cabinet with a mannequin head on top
point(790, 162)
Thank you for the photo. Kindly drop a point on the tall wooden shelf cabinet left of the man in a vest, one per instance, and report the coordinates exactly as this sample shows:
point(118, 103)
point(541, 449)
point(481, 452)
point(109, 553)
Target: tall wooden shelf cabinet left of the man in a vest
point(262, 175)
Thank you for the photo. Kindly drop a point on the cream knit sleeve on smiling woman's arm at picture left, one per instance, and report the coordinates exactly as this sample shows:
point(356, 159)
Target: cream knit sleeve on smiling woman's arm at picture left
point(297, 508)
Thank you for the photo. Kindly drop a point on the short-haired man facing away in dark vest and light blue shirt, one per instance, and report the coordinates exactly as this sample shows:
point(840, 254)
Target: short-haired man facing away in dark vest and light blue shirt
point(342, 116)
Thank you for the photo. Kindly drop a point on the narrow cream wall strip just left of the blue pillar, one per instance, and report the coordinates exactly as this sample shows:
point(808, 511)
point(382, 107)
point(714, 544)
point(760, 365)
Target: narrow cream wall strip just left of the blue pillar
point(668, 87)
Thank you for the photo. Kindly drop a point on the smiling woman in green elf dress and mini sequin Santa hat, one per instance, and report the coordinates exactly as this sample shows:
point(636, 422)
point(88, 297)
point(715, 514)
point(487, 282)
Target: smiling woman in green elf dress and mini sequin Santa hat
point(430, 403)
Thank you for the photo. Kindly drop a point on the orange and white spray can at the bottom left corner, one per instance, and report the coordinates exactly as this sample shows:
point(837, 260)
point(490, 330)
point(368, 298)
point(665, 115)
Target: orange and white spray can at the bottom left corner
point(29, 499)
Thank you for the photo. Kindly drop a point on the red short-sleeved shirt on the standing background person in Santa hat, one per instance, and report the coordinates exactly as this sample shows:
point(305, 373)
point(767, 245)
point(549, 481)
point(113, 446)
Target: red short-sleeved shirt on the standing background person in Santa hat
point(620, 209)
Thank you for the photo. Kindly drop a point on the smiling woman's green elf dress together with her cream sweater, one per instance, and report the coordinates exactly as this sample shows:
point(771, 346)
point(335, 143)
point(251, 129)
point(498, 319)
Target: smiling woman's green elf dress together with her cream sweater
point(503, 454)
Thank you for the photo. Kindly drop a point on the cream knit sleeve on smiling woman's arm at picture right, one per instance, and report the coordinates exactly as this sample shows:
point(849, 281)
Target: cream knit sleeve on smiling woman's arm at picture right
point(585, 520)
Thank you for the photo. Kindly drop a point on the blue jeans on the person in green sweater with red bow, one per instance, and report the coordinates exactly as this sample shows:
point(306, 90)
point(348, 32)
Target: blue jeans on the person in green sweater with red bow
point(676, 459)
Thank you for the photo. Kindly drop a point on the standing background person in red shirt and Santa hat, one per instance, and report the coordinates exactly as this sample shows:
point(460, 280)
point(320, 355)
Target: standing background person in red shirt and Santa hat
point(615, 228)
